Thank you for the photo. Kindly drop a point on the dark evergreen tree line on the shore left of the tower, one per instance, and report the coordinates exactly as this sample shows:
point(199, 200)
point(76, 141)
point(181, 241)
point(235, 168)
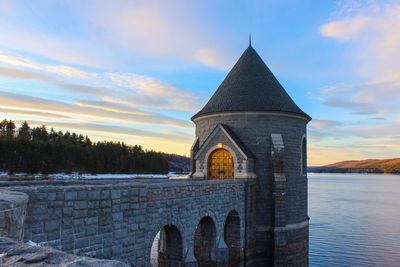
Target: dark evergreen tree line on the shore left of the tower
point(39, 150)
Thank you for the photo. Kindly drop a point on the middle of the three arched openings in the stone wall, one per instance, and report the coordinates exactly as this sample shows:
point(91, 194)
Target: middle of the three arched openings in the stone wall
point(204, 242)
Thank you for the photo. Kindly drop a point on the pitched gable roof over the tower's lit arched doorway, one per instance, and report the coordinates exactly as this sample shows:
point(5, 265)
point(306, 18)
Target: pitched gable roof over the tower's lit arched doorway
point(243, 149)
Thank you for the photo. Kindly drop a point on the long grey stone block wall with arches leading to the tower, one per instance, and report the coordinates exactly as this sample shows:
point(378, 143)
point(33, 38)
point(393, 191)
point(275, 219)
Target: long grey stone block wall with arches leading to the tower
point(120, 220)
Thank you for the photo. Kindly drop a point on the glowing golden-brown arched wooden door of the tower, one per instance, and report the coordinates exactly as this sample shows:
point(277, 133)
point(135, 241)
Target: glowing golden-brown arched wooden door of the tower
point(220, 165)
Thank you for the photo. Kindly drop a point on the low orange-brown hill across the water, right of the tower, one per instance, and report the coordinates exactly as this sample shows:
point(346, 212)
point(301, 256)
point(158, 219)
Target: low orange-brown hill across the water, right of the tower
point(361, 166)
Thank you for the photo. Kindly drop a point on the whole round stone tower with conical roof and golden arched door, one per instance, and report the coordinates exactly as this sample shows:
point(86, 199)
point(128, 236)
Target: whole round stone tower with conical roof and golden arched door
point(251, 129)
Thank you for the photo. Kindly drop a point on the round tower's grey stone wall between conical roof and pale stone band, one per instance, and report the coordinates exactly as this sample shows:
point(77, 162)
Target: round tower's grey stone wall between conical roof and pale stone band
point(255, 131)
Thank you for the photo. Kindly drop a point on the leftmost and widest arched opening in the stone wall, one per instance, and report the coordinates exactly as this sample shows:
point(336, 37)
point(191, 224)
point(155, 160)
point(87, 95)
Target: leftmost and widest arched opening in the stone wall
point(166, 250)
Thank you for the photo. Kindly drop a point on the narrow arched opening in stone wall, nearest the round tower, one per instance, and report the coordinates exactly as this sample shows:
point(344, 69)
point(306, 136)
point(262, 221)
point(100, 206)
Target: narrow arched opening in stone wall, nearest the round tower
point(232, 238)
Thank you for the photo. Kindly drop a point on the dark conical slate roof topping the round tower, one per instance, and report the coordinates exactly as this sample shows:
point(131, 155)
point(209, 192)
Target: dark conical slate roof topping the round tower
point(250, 86)
